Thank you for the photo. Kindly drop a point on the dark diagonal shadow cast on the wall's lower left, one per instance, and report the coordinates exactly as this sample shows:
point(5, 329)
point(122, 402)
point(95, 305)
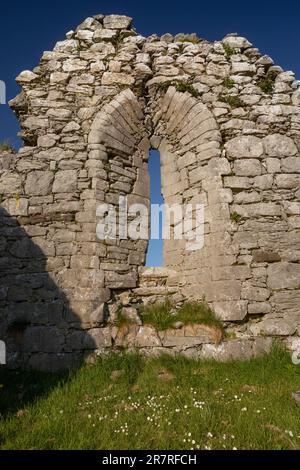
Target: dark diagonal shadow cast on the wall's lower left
point(36, 322)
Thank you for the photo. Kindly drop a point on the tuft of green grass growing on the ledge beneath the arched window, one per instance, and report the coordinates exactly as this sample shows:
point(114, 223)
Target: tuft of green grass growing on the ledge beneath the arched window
point(159, 315)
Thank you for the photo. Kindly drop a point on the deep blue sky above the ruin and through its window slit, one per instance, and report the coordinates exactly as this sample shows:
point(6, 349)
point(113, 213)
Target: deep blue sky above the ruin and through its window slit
point(29, 28)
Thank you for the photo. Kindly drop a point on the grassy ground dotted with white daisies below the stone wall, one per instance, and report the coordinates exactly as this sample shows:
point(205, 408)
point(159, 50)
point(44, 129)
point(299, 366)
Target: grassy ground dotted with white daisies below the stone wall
point(158, 403)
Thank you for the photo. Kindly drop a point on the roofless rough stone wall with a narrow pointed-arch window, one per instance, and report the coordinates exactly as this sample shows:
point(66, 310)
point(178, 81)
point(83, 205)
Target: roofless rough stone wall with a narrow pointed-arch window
point(226, 122)
